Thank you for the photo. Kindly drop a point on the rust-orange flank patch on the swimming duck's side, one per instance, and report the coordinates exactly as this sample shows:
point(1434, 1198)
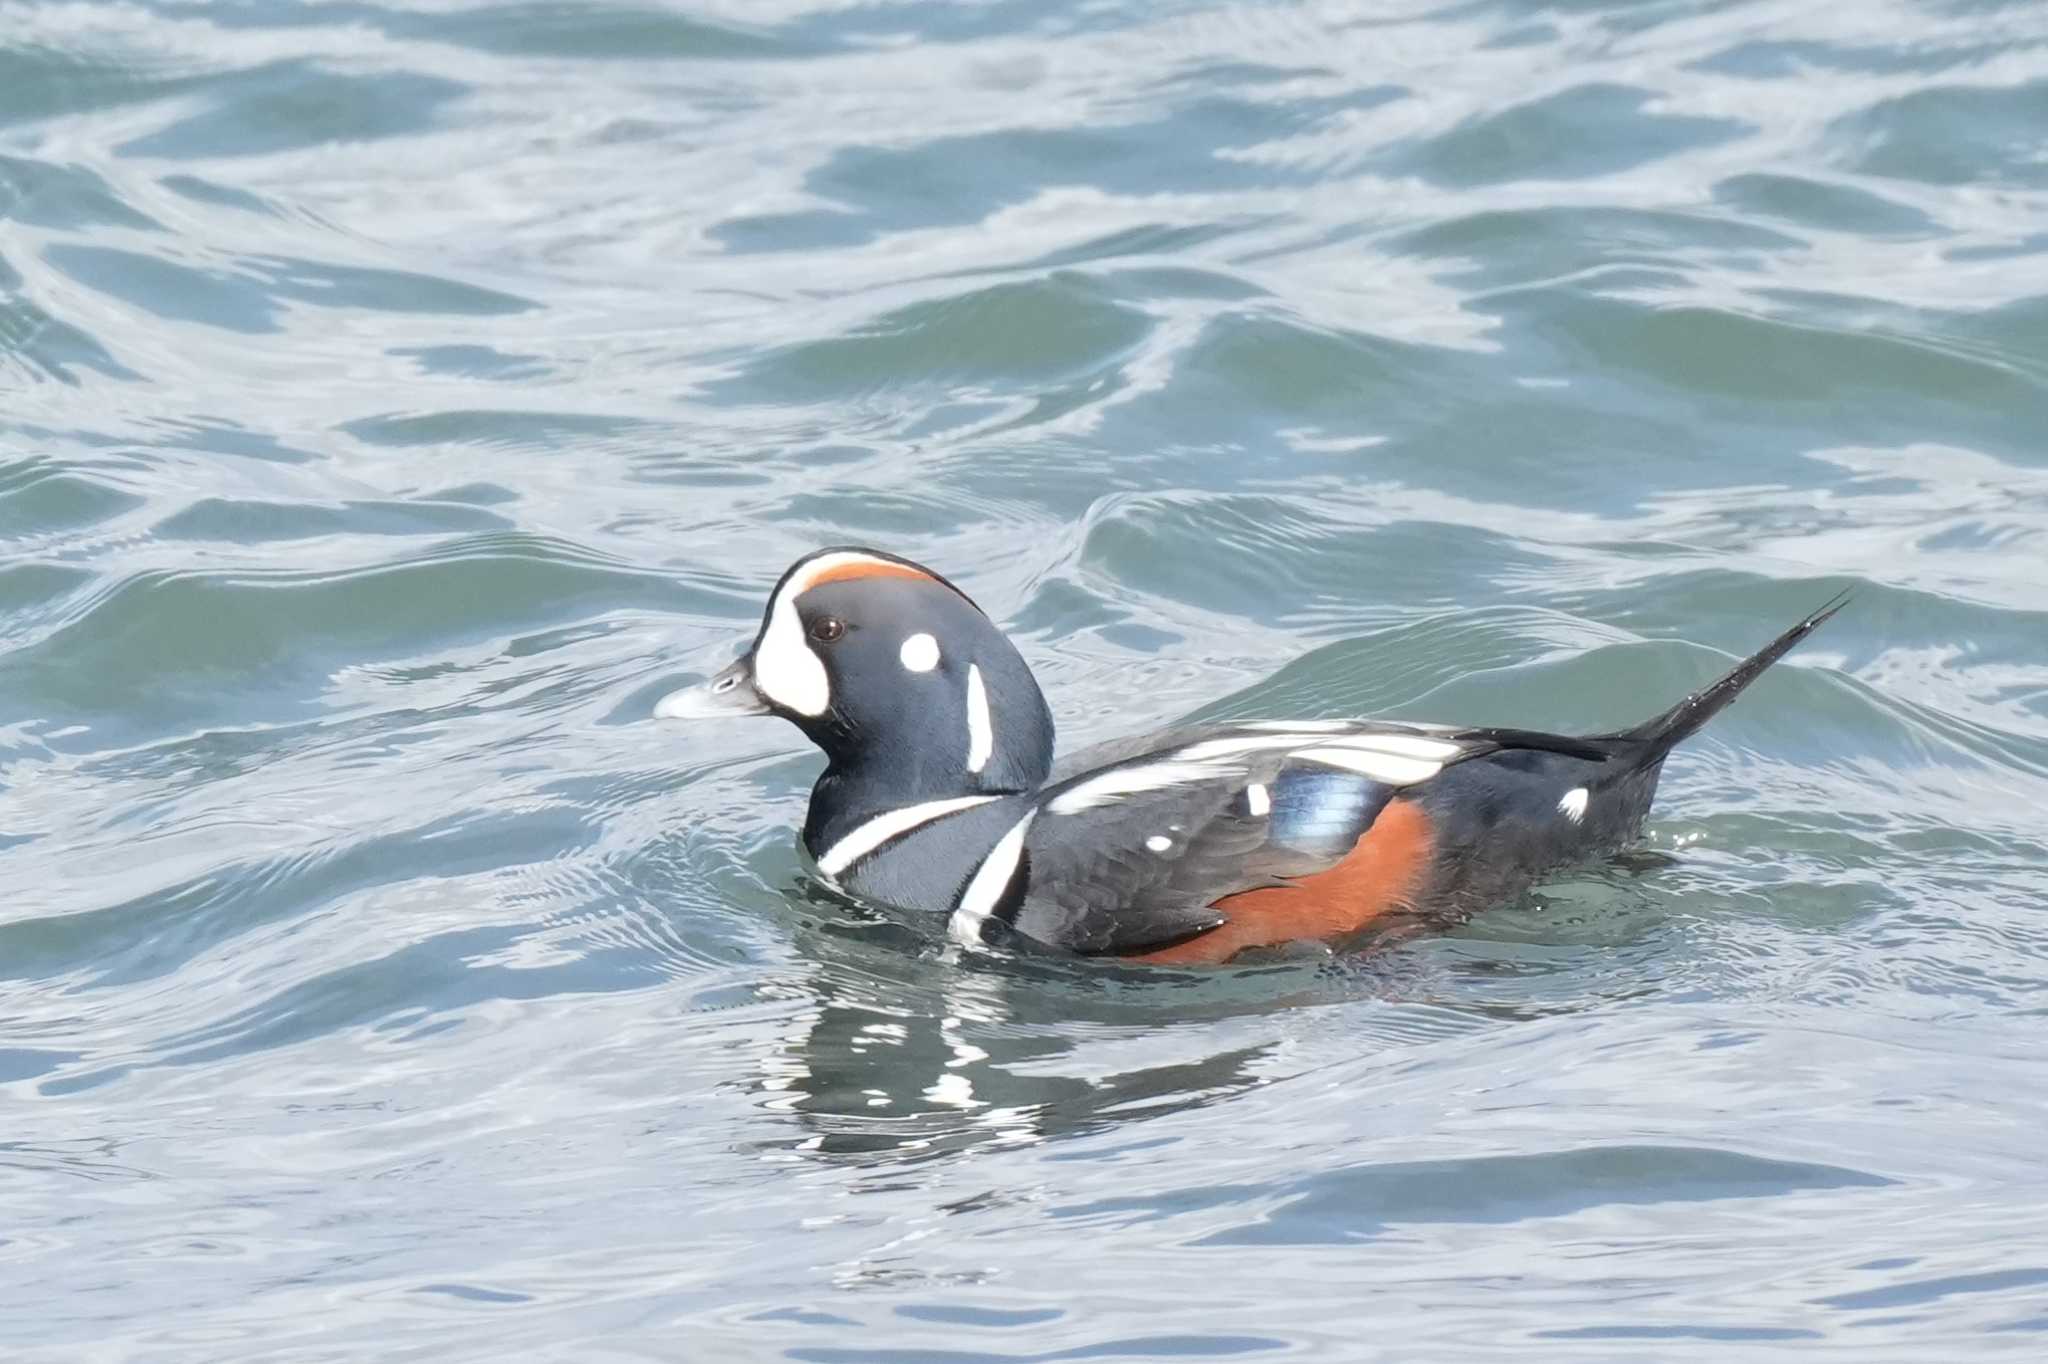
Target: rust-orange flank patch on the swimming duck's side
point(1379, 876)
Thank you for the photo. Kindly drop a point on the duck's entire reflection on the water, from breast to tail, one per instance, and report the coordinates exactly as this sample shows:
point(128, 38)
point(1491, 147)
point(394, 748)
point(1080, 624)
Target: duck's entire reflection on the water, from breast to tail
point(914, 1050)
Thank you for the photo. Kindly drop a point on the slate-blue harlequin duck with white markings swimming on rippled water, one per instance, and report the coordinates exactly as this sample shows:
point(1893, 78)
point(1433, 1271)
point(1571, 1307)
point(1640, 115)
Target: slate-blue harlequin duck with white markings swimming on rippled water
point(1189, 845)
